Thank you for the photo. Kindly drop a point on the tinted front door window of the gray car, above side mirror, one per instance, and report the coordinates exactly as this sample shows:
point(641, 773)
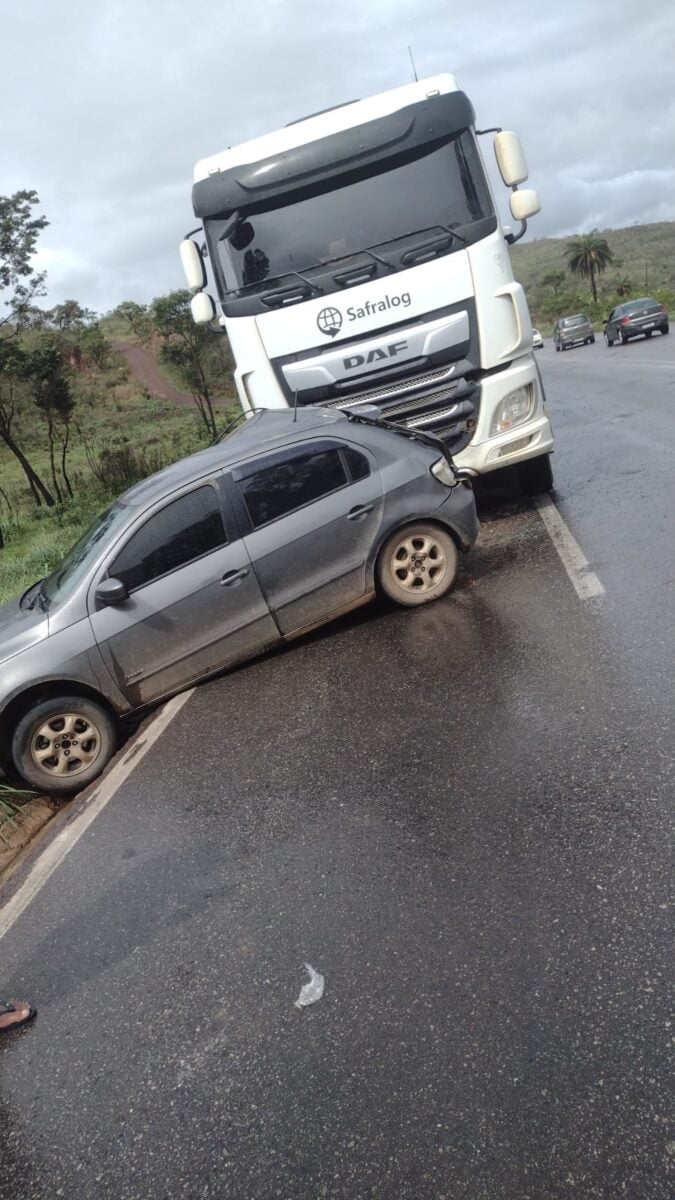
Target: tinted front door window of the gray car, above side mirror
point(180, 533)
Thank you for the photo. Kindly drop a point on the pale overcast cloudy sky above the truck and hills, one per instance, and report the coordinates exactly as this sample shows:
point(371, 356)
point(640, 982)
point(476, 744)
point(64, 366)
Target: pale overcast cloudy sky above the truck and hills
point(106, 105)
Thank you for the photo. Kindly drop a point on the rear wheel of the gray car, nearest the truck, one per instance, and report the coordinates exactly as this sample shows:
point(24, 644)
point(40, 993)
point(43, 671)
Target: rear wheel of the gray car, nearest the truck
point(417, 565)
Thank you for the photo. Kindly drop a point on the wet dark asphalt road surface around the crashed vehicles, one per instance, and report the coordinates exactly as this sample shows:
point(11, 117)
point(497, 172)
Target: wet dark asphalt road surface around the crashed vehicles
point(461, 817)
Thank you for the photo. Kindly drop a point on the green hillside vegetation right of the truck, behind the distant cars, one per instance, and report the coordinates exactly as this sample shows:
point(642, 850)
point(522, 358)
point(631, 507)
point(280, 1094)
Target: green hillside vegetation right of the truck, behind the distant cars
point(642, 263)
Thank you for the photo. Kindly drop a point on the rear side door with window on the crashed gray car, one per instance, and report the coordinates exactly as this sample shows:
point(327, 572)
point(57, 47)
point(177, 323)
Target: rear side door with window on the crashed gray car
point(315, 511)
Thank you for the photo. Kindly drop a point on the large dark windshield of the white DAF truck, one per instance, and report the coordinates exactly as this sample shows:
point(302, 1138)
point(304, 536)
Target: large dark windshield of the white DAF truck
point(444, 188)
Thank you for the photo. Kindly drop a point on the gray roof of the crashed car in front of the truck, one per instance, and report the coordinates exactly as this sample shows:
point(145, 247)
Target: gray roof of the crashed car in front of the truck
point(267, 430)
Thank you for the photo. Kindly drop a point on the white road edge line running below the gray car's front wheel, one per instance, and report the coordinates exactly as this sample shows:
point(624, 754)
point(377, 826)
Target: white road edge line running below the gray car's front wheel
point(70, 835)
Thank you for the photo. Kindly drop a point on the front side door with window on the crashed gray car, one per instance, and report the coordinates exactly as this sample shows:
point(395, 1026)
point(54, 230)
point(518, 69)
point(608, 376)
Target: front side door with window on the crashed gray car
point(194, 602)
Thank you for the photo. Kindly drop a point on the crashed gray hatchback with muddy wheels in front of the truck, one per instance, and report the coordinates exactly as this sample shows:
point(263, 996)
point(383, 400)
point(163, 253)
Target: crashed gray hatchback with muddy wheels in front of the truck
point(288, 524)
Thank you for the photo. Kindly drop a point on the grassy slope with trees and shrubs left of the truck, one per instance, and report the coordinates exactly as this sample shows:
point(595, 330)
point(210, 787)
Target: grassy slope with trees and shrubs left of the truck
point(76, 429)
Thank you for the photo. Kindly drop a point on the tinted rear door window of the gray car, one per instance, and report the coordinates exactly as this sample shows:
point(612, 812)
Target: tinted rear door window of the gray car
point(289, 484)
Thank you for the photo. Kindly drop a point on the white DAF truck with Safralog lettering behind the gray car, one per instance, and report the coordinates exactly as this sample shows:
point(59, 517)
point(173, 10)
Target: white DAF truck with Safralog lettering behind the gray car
point(360, 260)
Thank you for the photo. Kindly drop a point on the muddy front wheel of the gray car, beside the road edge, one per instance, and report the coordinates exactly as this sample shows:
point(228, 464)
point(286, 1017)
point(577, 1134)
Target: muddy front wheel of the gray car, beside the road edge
point(91, 739)
